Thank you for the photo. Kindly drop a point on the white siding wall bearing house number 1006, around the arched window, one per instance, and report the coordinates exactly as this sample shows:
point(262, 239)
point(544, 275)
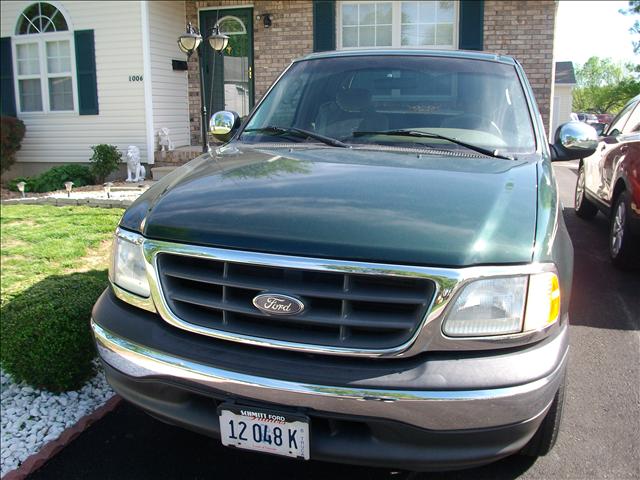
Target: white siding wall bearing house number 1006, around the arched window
point(67, 137)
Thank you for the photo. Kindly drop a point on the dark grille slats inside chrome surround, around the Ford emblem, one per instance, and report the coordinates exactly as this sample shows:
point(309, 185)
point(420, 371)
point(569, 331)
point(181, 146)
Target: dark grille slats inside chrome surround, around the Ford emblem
point(345, 310)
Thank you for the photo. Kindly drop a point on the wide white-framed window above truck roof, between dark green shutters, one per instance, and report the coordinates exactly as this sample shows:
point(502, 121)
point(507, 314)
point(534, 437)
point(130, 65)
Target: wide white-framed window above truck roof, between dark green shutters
point(429, 24)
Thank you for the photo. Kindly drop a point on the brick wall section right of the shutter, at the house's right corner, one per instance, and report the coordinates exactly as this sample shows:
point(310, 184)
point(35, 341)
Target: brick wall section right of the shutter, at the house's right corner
point(524, 29)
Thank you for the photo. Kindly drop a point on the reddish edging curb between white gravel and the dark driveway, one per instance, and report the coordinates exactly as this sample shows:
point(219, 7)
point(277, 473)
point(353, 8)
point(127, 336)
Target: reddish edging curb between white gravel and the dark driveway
point(49, 450)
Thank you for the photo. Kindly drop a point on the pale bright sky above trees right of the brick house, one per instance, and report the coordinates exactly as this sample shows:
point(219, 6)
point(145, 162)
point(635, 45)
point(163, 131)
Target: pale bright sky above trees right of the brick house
point(593, 28)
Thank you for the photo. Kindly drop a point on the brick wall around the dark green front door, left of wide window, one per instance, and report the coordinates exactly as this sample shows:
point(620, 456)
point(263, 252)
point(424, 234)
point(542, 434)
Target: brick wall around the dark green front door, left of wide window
point(290, 36)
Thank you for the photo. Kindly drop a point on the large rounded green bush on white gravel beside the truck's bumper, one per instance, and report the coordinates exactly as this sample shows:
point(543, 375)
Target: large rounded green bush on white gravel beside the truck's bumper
point(46, 337)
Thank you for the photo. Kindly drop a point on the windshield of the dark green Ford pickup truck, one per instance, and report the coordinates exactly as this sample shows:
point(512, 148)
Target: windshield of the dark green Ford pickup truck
point(474, 101)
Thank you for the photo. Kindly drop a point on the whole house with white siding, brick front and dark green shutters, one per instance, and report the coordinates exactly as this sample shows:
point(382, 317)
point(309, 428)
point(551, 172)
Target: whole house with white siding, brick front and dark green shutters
point(79, 73)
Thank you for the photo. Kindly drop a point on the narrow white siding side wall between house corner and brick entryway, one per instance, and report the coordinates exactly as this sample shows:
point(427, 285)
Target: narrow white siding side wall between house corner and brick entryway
point(169, 88)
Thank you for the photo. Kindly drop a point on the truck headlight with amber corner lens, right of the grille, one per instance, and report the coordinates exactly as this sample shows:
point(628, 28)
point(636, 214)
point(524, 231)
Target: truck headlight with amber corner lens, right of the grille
point(505, 305)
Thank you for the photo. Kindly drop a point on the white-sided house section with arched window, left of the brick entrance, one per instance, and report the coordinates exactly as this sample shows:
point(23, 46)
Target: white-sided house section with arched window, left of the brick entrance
point(80, 73)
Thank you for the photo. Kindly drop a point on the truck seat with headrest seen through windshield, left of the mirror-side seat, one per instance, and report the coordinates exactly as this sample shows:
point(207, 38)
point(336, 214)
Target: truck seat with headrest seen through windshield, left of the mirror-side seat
point(351, 111)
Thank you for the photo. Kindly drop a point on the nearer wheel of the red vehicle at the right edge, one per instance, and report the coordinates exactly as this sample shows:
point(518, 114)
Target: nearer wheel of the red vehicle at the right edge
point(622, 244)
